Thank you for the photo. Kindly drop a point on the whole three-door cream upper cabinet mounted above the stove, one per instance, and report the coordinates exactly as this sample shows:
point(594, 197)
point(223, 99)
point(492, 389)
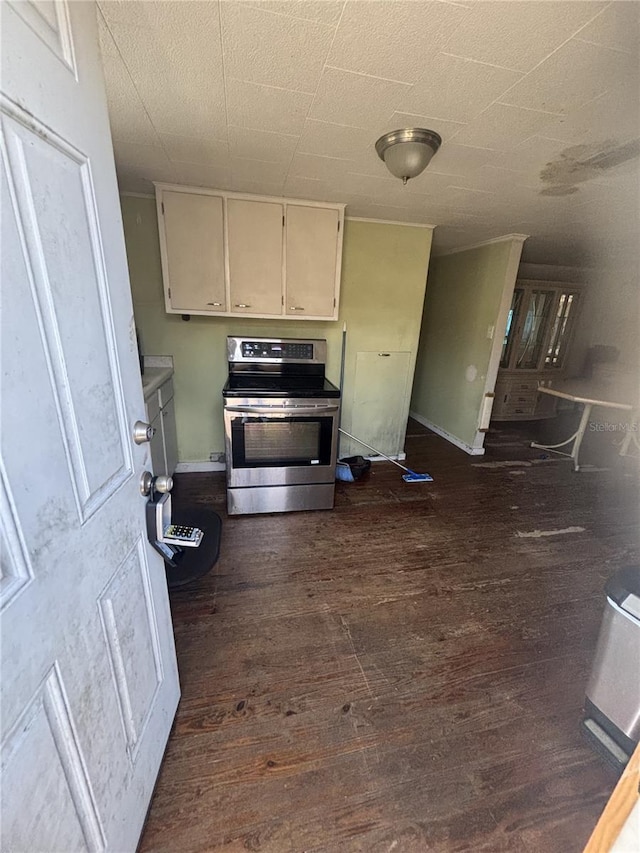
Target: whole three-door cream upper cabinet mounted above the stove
point(228, 254)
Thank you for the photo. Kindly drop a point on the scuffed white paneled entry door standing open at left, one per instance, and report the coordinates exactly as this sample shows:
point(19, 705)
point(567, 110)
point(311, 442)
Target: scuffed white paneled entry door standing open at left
point(89, 682)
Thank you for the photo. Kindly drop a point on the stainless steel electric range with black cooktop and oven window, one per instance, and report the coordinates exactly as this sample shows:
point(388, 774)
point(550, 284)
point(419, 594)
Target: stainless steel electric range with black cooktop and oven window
point(281, 426)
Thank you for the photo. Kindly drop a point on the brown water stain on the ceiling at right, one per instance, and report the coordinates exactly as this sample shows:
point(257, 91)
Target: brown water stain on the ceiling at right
point(581, 163)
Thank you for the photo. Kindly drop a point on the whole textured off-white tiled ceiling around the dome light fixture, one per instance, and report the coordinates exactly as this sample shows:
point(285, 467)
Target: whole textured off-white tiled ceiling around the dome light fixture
point(485, 180)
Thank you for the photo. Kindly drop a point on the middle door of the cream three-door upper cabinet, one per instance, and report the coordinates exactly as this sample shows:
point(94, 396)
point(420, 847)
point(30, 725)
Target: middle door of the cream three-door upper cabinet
point(255, 256)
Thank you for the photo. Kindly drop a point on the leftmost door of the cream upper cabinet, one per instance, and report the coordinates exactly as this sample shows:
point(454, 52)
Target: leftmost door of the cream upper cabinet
point(193, 251)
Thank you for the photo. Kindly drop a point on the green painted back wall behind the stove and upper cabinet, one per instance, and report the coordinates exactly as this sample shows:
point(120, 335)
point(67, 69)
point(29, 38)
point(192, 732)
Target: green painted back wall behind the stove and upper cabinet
point(383, 284)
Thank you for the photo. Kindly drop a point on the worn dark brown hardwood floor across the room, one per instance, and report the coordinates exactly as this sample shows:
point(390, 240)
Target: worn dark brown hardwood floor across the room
point(404, 673)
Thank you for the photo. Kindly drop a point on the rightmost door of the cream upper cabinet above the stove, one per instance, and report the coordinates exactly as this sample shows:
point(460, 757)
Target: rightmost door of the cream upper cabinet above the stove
point(311, 258)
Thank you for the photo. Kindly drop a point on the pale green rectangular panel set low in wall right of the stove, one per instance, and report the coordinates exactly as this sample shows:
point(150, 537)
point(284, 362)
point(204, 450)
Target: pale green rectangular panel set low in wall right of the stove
point(381, 400)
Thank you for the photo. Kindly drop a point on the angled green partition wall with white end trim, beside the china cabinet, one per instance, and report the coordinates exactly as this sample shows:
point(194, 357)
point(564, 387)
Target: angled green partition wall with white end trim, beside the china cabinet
point(464, 291)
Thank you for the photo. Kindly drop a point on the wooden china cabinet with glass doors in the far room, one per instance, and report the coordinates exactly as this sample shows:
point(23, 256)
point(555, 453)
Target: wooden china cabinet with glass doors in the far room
point(535, 347)
